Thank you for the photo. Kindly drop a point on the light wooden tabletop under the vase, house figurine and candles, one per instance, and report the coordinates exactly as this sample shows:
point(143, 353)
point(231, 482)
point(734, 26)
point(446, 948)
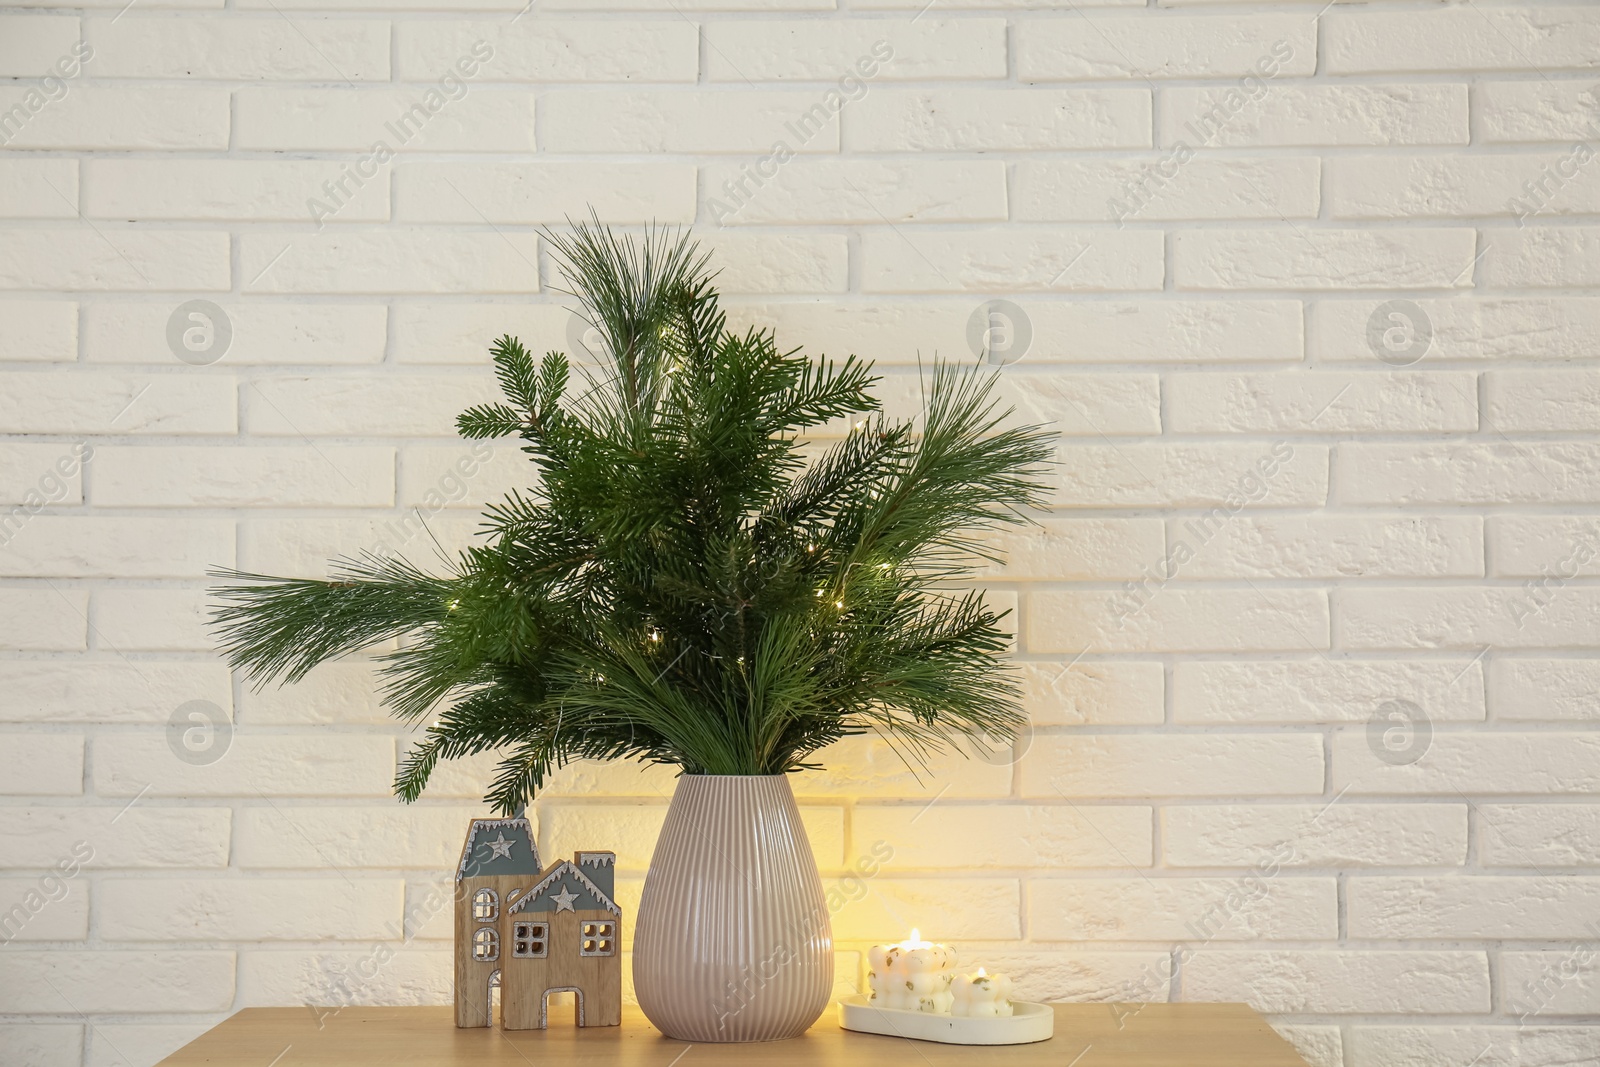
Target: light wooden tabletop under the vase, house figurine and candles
point(1089, 1036)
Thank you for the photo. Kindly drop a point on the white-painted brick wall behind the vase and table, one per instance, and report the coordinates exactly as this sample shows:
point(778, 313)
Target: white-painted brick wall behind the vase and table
point(1290, 513)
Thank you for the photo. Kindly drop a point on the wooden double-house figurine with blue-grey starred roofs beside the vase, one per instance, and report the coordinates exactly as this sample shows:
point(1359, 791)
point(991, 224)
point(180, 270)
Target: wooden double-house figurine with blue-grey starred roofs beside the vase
point(534, 932)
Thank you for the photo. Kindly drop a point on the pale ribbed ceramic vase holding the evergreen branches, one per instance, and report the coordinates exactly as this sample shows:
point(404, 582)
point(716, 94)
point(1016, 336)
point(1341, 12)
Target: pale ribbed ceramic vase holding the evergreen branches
point(734, 940)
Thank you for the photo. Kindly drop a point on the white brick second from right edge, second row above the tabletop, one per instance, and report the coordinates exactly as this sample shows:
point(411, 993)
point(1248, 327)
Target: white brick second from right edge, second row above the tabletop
point(1249, 908)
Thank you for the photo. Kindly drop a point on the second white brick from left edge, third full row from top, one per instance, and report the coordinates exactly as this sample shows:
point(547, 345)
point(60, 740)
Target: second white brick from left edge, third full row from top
point(295, 191)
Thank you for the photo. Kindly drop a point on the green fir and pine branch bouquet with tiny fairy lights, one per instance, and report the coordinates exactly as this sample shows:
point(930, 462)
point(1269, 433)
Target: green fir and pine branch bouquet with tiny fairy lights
point(687, 580)
